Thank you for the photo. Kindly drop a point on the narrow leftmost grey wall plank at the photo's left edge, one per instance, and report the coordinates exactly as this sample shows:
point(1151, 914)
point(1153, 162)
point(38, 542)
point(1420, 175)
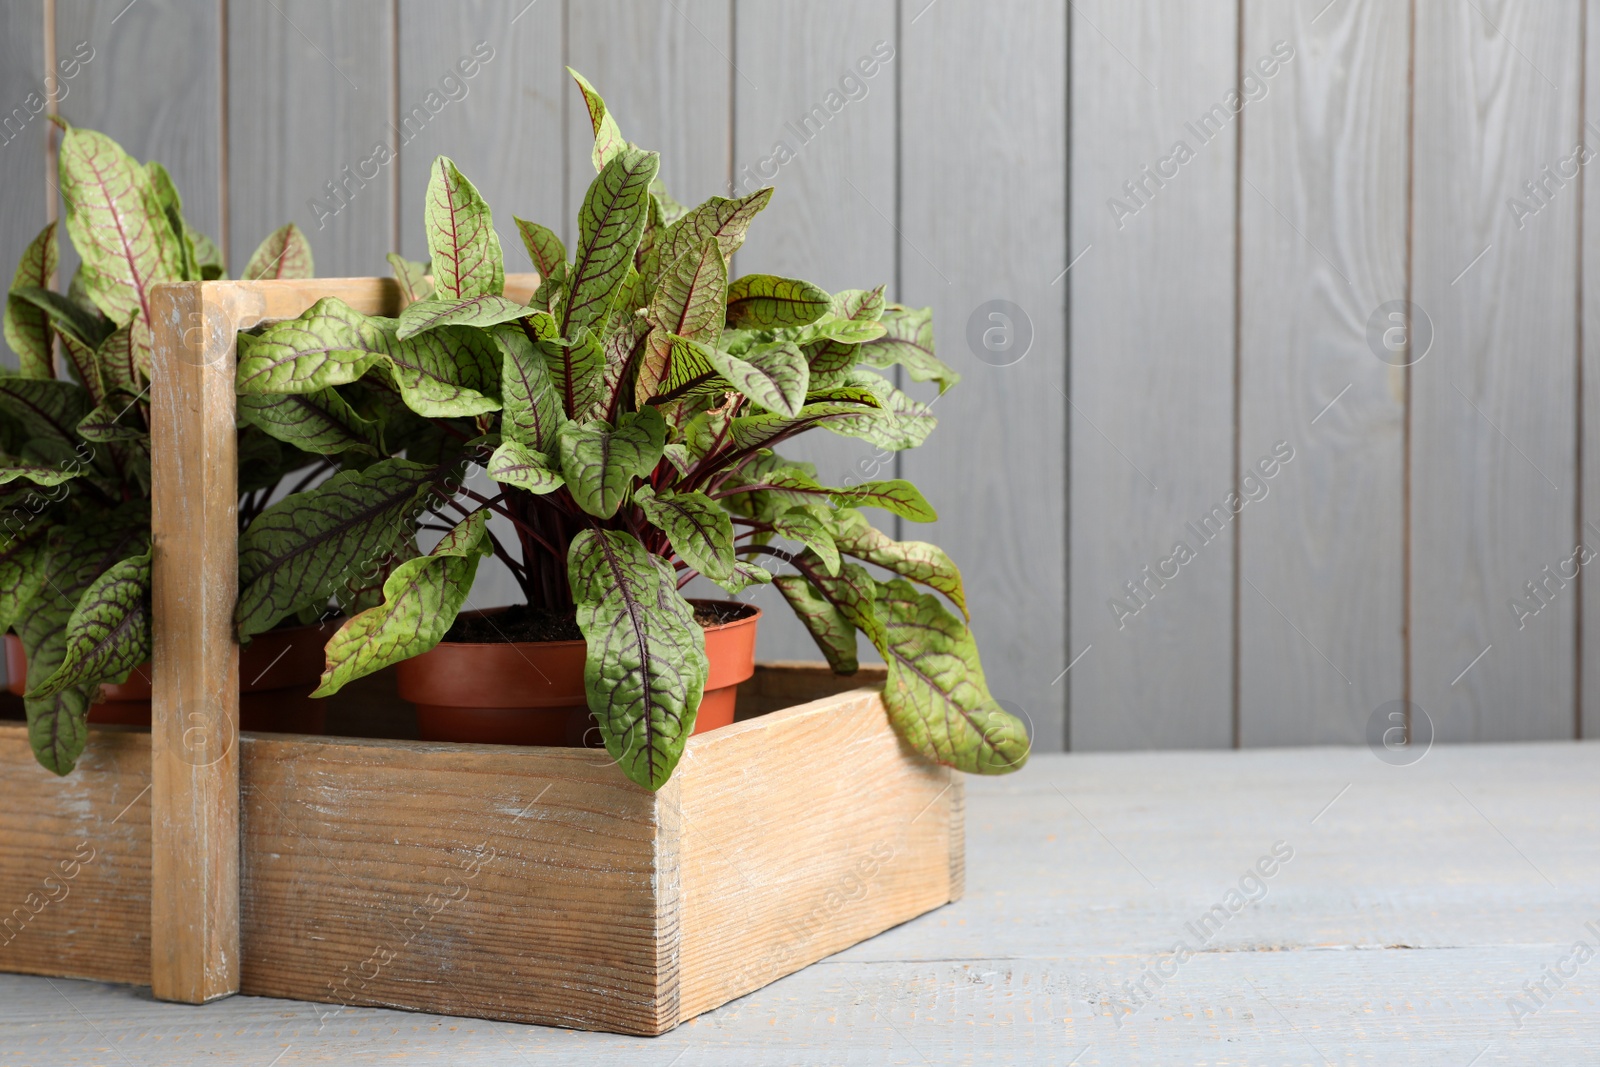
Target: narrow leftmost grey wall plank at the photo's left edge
point(23, 134)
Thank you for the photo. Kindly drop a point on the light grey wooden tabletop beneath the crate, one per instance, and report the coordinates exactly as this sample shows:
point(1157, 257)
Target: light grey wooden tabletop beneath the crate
point(1409, 917)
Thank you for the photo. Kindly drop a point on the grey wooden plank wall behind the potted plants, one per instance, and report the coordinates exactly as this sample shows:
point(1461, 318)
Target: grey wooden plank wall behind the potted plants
point(1198, 241)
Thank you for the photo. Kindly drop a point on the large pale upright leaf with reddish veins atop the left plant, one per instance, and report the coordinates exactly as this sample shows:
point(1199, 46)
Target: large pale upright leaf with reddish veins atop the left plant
point(118, 223)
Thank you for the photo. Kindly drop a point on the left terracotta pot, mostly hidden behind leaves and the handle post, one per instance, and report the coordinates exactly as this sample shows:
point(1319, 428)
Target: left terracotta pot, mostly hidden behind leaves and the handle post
point(276, 681)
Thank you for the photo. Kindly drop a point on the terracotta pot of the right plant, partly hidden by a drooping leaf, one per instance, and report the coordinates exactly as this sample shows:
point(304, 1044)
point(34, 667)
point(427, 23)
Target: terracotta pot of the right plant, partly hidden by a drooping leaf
point(532, 693)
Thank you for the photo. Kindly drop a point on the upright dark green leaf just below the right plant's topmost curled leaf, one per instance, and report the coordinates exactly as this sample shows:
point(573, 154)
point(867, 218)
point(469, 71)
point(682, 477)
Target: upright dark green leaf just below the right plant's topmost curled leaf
point(609, 231)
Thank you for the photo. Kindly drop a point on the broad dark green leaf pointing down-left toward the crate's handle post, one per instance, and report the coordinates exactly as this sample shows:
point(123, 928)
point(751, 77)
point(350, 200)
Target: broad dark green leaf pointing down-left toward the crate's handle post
point(303, 549)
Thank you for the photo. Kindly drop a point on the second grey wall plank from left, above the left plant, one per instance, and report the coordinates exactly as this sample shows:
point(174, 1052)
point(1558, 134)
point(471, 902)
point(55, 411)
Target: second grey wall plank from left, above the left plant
point(156, 87)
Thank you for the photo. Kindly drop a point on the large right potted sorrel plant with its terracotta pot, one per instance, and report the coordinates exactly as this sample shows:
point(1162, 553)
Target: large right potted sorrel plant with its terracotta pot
point(630, 417)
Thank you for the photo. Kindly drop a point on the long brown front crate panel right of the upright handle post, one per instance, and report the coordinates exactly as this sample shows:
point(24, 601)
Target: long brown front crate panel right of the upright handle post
point(478, 881)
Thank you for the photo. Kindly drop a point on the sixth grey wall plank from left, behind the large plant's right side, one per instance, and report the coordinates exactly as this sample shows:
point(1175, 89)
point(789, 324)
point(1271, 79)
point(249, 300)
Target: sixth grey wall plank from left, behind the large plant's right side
point(823, 223)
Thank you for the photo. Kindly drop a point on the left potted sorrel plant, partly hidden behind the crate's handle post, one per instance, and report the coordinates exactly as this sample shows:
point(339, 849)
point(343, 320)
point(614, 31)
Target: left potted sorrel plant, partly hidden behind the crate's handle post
point(76, 466)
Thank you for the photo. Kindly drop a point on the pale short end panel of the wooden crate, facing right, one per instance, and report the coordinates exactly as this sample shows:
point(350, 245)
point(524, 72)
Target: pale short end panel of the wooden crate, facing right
point(786, 860)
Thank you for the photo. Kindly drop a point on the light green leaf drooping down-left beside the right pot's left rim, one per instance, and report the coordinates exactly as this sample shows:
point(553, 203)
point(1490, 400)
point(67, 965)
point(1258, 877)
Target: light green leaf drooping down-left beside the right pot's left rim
point(422, 601)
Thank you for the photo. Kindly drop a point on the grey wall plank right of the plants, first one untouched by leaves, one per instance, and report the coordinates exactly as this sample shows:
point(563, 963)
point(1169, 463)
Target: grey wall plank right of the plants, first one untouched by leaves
point(1153, 374)
